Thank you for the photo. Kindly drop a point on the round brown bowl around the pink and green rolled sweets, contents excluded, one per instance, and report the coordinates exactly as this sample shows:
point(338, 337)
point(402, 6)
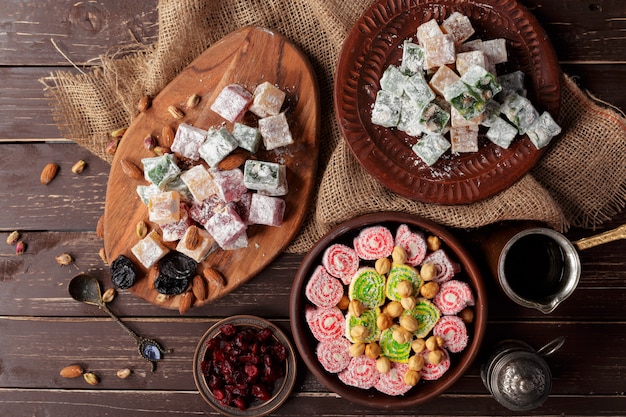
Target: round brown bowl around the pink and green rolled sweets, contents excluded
point(425, 390)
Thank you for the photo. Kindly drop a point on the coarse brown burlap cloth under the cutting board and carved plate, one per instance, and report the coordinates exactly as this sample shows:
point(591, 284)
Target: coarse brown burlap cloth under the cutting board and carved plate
point(581, 180)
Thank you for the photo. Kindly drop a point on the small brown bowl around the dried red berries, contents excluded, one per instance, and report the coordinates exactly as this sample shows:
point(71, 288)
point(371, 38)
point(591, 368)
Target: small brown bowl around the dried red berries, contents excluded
point(282, 388)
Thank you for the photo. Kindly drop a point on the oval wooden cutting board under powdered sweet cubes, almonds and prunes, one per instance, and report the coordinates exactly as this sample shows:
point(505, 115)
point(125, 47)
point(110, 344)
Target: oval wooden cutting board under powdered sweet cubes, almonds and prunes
point(248, 56)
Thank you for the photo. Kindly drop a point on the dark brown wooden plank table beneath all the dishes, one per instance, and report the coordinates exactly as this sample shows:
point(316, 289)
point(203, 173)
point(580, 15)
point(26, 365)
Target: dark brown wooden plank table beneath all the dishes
point(42, 329)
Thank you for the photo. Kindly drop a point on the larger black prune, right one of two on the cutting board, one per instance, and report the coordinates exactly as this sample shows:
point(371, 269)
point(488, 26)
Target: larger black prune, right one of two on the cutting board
point(175, 272)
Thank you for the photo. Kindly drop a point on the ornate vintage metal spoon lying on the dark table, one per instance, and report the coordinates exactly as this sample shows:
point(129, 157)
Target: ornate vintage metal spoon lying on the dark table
point(86, 288)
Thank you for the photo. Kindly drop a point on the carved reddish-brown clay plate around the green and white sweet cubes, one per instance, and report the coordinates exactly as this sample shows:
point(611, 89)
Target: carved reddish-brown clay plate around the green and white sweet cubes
point(375, 42)
